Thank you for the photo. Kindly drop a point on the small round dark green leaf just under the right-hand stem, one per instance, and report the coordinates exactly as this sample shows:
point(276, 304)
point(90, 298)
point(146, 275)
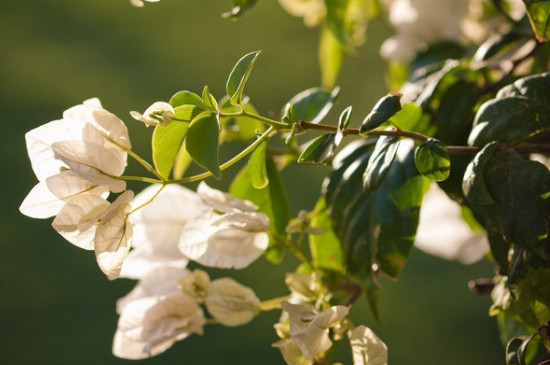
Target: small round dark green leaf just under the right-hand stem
point(432, 160)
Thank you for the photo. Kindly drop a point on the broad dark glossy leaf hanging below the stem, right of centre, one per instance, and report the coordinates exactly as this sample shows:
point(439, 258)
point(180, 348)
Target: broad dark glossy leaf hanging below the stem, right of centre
point(378, 227)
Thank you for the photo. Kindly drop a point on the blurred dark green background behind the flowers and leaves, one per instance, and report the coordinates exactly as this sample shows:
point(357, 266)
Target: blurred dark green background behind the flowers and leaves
point(56, 307)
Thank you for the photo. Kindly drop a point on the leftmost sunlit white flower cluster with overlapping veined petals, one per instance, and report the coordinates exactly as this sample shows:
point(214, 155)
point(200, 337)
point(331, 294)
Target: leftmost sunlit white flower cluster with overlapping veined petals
point(77, 161)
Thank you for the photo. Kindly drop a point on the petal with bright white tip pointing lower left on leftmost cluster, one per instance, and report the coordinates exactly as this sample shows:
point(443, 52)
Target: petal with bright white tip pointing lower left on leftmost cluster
point(48, 197)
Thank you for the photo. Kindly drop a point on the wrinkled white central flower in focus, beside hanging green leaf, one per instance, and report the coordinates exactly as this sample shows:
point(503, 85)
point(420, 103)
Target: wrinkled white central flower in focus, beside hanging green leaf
point(231, 240)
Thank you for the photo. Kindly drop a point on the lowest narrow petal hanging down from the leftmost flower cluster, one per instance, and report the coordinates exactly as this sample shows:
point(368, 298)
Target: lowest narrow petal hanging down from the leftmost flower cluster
point(114, 236)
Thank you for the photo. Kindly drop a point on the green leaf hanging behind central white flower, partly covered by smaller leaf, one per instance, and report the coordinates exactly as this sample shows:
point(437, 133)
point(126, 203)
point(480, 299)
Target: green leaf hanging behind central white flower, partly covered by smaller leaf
point(271, 200)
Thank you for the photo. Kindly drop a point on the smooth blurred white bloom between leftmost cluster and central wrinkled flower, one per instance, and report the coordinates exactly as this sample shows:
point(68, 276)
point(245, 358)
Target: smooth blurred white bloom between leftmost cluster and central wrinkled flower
point(158, 227)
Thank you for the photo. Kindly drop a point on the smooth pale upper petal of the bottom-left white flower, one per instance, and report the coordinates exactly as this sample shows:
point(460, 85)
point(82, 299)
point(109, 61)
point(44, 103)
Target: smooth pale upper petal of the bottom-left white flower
point(164, 281)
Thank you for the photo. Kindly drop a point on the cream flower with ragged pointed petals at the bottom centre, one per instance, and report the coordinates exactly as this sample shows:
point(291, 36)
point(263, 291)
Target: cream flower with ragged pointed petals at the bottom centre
point(309, 329)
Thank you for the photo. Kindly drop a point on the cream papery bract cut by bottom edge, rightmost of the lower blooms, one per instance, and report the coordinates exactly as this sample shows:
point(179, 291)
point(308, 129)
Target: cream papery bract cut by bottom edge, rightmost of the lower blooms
point(367, 348)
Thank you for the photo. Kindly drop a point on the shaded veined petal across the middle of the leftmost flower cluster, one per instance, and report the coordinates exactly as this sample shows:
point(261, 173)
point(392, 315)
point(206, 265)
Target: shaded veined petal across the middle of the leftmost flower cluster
point(92, 162)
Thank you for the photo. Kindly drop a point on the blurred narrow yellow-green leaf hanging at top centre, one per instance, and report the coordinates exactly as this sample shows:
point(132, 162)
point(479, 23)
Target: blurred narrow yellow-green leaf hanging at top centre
point(331, 55)
